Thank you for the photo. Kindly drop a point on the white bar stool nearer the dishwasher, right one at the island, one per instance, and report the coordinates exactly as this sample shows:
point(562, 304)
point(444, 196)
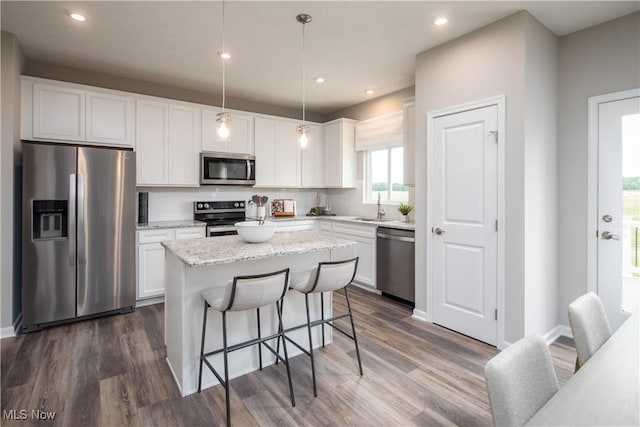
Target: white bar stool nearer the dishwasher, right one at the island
point(325, 277)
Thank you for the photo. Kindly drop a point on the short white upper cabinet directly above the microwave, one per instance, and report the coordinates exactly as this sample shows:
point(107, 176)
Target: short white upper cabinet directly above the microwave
point(241, 133)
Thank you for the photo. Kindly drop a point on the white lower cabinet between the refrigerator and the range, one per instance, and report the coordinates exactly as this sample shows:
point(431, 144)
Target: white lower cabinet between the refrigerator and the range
point(150, 257)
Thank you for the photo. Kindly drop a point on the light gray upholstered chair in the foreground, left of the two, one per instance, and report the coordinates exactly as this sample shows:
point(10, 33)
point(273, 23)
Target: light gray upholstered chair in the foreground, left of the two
point(520, 380)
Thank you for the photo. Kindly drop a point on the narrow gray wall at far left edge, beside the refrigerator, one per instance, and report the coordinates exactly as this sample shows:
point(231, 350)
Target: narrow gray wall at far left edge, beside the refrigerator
point(12, 65)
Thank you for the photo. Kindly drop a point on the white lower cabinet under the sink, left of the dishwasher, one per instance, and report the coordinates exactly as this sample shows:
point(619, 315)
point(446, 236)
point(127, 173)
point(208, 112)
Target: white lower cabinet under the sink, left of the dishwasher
point(365, 249)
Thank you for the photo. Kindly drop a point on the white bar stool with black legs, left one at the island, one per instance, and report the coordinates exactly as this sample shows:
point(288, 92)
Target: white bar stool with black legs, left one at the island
point(245, 293)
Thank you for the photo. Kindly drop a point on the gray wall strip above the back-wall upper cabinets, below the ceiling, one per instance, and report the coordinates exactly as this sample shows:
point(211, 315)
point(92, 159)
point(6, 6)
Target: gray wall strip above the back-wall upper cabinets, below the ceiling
point(92, 78)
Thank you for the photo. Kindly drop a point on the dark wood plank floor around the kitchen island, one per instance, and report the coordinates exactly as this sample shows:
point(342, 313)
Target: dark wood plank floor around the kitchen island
point(112, 372)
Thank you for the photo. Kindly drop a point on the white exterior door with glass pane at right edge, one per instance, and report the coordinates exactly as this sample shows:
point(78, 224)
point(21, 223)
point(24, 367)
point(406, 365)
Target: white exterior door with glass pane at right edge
point(618, 207)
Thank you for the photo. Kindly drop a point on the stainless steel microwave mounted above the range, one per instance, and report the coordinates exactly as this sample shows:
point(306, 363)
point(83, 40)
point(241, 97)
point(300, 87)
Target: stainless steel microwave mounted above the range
point(227, 169)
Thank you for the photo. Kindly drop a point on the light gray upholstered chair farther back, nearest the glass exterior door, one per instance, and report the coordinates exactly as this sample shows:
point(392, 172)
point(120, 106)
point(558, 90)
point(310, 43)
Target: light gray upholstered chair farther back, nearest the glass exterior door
point(589, 325)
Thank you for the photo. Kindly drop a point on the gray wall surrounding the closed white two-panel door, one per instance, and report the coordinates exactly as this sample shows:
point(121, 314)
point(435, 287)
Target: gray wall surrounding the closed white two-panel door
point(486, 63)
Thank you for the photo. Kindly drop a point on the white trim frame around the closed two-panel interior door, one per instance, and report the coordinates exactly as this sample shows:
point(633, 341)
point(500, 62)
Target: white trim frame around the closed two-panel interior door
point(500, 102)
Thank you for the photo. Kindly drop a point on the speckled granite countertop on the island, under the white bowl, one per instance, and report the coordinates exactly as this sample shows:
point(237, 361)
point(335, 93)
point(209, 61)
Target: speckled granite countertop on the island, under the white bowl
point(227, 249)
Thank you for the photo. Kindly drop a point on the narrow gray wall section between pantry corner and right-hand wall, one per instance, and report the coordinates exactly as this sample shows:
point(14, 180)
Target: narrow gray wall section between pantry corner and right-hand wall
point(540, 214)
